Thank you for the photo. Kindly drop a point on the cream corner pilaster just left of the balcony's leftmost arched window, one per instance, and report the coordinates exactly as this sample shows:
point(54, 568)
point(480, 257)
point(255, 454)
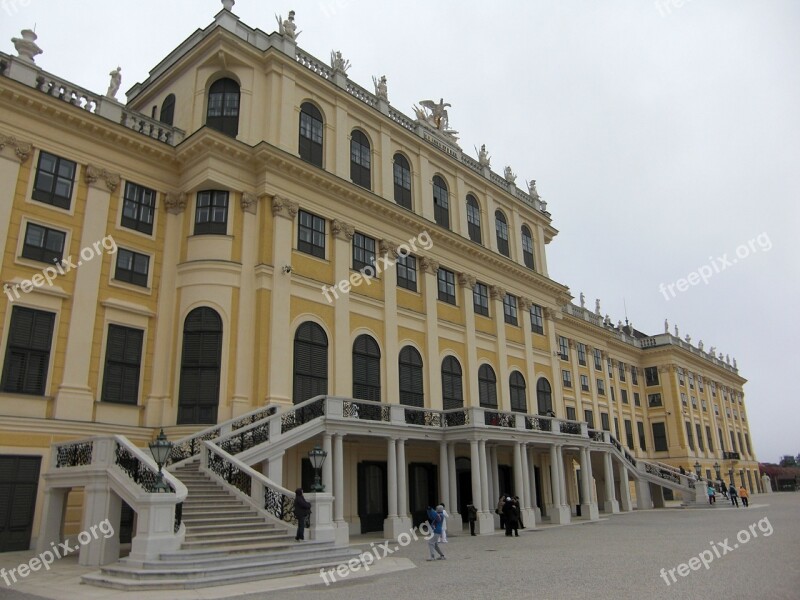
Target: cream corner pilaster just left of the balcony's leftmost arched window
point(280, 333)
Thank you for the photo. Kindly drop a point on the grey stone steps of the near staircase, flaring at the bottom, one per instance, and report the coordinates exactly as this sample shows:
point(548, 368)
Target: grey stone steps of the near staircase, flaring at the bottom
point(226, 542)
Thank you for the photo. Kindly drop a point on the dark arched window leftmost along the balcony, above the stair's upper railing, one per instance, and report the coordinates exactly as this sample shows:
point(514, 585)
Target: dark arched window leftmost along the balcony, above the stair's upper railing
point(310, 362)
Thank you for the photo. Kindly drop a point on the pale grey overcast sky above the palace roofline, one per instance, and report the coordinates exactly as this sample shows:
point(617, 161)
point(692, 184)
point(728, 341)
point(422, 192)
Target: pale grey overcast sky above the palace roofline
point(664, 138)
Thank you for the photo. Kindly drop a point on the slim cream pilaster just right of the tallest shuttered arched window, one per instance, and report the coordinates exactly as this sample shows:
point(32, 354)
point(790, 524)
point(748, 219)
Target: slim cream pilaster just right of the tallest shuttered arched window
point(246, 333)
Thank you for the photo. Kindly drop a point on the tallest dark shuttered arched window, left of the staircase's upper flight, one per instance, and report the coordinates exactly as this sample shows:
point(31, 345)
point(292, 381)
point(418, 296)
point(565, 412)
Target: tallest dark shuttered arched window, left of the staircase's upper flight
point(201, 358)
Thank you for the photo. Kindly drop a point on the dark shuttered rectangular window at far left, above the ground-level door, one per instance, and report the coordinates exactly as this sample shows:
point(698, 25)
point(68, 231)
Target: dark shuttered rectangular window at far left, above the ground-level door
point(30, 335)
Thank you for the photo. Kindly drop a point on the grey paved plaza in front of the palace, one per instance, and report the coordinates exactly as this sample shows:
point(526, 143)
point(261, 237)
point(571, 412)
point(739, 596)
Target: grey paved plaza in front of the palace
point(752, 553)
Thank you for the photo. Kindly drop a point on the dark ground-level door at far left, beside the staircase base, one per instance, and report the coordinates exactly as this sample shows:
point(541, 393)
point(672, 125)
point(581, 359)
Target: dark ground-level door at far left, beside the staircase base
point(19, 481)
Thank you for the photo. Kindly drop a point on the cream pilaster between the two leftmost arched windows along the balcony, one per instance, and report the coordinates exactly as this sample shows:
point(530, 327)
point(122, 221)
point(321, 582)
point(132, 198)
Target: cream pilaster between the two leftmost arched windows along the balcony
point(343, 352)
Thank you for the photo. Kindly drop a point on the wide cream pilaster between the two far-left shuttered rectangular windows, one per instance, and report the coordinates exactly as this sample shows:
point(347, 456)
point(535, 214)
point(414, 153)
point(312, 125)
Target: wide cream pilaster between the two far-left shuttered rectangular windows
point(74, 400)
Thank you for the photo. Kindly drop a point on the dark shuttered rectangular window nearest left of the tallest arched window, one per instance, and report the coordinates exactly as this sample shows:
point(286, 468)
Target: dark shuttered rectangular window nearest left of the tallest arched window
point(123, 363)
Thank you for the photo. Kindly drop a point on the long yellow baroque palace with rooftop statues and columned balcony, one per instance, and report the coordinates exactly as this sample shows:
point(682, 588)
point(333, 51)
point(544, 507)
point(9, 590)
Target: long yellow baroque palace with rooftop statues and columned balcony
point(259, 256)
